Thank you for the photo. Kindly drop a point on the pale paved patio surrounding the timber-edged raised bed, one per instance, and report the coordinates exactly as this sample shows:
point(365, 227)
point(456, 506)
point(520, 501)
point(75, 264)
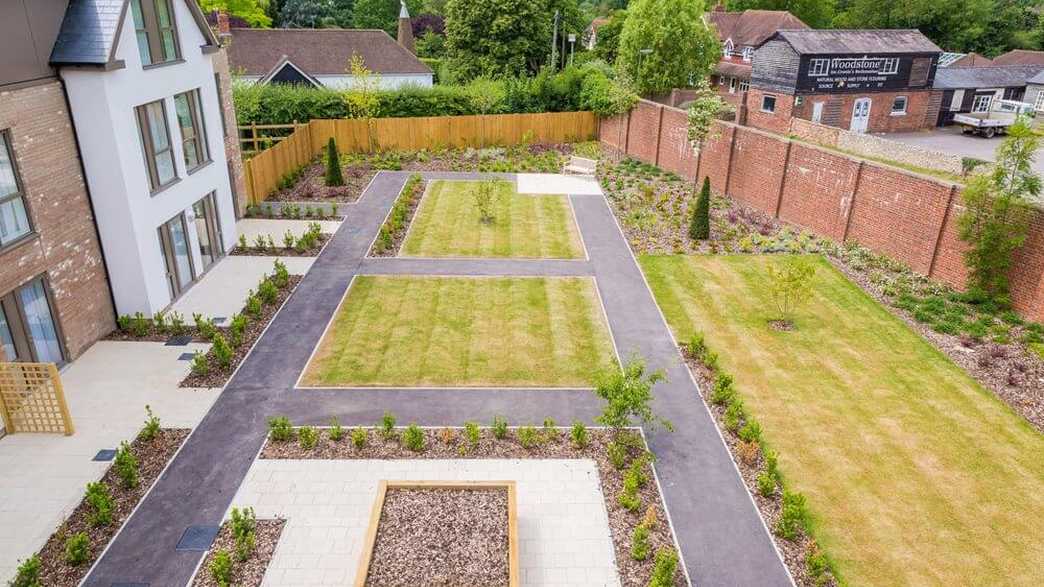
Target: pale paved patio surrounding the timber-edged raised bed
point(564, 538)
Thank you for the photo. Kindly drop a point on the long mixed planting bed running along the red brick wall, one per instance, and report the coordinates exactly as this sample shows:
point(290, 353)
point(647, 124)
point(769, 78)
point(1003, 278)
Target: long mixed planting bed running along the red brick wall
point(992, 343)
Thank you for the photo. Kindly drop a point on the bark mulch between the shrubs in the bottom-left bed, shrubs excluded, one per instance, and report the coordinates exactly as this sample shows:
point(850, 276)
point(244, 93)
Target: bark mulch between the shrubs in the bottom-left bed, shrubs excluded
point(153, 458)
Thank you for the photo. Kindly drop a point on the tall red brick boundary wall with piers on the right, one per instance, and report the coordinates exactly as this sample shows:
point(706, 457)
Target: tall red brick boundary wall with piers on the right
point(906, 216)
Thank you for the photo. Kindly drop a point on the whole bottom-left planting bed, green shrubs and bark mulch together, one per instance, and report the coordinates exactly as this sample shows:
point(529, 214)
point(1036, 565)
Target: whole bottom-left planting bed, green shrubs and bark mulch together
point(69, 553)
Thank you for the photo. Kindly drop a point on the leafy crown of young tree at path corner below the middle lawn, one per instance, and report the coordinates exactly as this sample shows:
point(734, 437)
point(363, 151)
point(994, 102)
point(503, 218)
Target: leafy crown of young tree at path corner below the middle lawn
point(629, 395)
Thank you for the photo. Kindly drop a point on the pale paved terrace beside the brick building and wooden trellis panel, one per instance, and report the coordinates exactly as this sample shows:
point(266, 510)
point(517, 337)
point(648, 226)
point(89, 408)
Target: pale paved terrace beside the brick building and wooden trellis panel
point(107, 389)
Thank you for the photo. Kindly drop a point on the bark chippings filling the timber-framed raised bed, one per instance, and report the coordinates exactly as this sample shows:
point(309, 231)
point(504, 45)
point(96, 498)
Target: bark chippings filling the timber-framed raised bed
point(441, 537)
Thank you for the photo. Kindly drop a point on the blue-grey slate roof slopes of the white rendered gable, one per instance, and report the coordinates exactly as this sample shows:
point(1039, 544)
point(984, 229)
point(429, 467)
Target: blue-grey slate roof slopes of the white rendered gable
point(90, 28)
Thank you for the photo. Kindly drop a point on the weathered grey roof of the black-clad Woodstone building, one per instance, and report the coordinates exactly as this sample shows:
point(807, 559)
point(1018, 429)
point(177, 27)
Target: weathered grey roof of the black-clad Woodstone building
point(858, 41)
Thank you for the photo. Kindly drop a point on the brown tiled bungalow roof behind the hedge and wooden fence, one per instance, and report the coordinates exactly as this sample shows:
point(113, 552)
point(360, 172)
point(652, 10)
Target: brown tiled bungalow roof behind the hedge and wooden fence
point(319, 52)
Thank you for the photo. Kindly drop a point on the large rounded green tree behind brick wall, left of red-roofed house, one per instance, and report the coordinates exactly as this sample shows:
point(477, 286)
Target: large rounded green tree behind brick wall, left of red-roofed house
point(667, 44)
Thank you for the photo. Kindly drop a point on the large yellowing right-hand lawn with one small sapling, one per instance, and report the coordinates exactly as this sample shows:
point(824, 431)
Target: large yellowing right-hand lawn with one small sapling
point(915, 474)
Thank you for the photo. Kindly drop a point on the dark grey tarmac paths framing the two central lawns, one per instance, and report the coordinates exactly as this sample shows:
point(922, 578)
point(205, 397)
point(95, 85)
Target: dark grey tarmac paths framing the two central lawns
point(722, 536)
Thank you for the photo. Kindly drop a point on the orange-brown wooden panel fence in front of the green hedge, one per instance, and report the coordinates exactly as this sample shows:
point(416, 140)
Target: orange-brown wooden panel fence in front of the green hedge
point(267, 169)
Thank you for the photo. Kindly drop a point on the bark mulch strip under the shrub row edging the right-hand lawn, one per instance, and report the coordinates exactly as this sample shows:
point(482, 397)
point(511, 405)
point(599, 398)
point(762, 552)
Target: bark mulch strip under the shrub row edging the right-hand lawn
point(751, 461)
